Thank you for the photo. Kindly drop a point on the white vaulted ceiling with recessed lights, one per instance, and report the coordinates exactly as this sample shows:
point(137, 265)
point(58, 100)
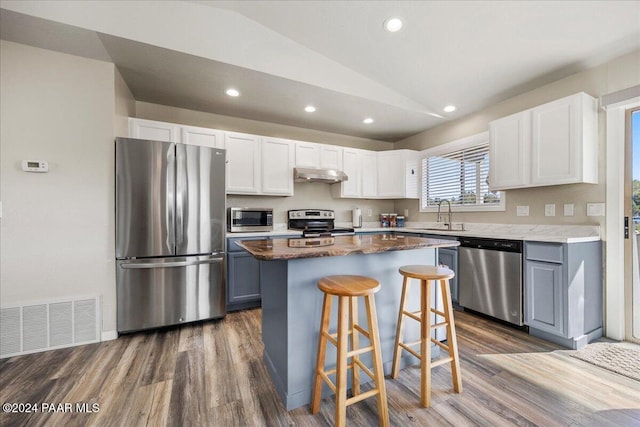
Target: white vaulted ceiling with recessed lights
point(283, 55)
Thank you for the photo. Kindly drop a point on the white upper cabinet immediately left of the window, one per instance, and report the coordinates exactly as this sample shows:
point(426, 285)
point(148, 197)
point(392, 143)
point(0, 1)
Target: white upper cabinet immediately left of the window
point(398, 174)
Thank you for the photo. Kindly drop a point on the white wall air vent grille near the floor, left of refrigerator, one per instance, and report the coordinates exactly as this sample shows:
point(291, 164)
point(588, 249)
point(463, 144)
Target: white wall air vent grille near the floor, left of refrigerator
point(44, 326)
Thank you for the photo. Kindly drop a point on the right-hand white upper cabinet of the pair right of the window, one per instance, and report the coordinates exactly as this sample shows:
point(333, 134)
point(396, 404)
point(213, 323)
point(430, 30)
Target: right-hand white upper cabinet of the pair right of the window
point(565, 141)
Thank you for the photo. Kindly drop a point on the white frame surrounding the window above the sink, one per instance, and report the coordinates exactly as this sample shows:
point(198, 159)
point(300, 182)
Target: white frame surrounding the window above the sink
point(460, 144)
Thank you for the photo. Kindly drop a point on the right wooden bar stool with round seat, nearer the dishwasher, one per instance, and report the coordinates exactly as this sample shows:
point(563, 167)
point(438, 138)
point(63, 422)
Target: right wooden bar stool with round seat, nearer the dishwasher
point(426, 274)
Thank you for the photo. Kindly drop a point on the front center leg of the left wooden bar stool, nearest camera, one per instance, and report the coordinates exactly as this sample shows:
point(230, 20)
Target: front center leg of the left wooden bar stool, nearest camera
point(341, 368)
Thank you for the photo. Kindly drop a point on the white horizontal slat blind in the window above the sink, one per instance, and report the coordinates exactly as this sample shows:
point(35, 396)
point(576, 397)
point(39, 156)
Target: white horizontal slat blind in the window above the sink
point(459, 176)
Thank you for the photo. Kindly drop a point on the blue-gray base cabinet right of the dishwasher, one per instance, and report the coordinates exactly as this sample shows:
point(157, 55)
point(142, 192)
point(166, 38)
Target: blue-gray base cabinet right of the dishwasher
point(563, 291)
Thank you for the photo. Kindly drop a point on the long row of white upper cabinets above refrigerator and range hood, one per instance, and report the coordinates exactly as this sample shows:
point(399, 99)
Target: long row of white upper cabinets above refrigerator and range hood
point(258, 165)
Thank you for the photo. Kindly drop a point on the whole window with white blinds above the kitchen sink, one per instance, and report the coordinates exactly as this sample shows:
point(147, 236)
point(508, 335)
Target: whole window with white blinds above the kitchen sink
point(458, 172)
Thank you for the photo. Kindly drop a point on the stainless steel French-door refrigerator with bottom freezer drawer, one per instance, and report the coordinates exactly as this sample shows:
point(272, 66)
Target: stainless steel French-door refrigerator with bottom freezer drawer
point(170, 225)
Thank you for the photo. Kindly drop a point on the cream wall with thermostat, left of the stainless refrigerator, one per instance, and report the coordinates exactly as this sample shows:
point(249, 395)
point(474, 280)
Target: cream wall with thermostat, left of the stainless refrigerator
point(57, 228)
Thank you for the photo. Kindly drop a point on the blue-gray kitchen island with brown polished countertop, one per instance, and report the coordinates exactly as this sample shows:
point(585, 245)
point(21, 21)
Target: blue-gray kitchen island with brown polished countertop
point(292, 303)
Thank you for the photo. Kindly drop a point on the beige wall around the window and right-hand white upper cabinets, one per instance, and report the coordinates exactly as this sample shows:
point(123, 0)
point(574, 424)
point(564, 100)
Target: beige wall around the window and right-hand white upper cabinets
point(615, 75)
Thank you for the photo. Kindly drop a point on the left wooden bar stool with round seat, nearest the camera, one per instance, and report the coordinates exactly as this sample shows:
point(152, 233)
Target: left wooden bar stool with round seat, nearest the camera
point(347, 289)
